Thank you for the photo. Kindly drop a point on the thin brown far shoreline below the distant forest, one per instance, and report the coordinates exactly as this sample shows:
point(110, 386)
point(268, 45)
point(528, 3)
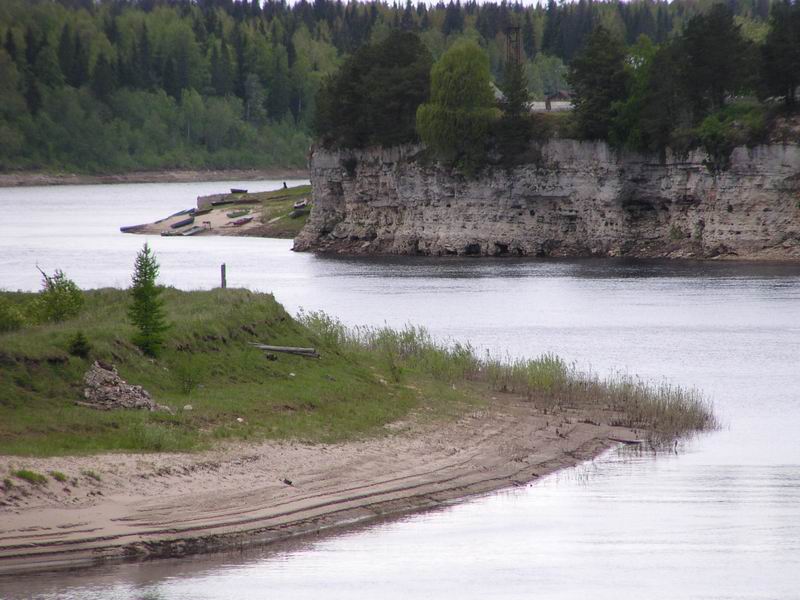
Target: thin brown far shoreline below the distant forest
point(30, 179)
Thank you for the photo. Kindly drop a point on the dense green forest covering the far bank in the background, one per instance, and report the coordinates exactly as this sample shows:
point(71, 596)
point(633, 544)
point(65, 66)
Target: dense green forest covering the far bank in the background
point(119, 85)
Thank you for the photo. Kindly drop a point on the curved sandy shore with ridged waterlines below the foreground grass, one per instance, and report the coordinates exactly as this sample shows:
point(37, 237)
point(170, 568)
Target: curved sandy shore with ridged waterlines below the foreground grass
point(159, 506)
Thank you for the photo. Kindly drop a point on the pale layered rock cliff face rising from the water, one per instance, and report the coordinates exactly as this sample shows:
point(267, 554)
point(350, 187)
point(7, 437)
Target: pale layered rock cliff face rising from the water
point(572, 199)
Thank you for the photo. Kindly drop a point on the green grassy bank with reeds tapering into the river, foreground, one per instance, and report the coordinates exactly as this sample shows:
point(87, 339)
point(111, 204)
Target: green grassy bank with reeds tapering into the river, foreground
point(364, 379)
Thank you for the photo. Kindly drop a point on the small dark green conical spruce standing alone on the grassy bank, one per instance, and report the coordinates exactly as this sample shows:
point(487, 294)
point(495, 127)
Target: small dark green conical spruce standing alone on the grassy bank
point(146, 311)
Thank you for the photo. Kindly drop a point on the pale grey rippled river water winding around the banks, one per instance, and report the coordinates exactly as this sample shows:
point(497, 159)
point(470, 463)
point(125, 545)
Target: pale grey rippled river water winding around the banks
point(718, 519)
